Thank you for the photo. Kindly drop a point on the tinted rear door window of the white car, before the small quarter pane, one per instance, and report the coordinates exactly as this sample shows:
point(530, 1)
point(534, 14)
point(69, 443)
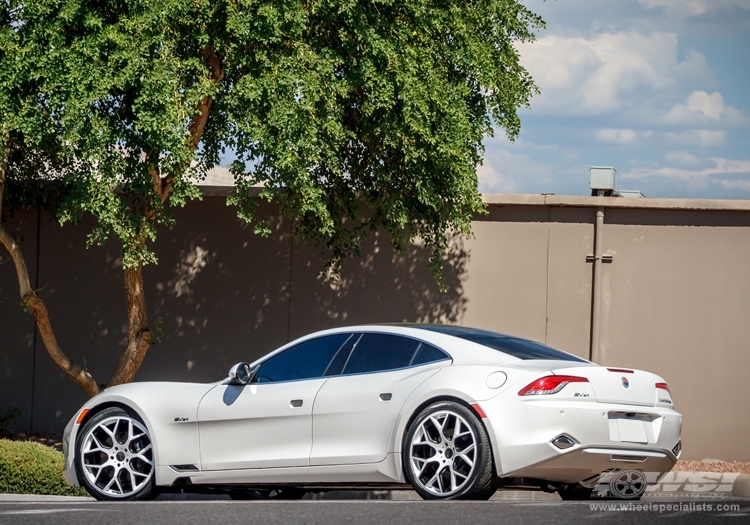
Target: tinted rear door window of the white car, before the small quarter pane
point(378, 352)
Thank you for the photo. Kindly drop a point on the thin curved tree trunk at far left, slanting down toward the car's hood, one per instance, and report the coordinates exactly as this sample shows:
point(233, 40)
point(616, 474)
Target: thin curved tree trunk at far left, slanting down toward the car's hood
point(32, 300)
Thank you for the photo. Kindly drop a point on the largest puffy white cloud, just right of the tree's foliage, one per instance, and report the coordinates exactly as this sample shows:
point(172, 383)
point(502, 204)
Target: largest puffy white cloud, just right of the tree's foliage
point(606, 73)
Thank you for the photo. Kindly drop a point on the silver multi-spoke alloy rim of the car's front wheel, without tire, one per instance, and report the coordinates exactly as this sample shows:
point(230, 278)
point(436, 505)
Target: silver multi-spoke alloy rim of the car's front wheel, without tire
point(117, 456)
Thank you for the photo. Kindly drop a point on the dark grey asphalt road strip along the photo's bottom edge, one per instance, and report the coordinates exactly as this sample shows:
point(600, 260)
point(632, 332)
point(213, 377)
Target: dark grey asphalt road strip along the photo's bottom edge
point(364, 512)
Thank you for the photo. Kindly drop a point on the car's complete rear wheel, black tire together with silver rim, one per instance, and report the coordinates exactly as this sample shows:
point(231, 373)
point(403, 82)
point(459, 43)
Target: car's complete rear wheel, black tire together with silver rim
point(438, 459)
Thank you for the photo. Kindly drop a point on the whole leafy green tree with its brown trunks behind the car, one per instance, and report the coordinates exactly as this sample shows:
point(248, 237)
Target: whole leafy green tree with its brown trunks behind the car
point(352, 115)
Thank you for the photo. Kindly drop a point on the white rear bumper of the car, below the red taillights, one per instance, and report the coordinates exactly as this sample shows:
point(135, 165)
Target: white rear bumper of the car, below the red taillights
point(522, 431)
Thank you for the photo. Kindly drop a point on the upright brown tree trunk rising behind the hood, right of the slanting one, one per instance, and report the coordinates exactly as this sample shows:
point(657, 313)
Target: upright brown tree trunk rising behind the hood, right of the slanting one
point(139, 334)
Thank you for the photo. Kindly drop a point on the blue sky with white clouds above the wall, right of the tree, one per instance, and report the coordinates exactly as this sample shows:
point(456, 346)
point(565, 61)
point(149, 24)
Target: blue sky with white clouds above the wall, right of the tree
point(658, 89)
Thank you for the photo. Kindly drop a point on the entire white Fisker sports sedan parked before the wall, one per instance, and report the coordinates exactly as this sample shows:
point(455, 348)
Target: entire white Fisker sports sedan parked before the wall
point(452, 412)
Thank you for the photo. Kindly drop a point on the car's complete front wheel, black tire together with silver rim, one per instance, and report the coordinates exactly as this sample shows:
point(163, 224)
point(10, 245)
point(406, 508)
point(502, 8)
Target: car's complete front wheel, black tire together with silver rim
point(115, 457)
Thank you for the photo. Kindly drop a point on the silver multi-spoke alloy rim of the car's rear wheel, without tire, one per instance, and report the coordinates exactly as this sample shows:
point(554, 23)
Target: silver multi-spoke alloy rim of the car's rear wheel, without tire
point(442, 453)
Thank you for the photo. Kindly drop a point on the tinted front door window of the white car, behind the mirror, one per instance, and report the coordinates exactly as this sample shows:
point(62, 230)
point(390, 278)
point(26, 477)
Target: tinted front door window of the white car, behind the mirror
point(306, 360)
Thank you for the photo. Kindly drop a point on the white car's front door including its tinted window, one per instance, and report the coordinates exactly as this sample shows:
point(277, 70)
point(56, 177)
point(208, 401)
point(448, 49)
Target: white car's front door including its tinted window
point(267, 423)
